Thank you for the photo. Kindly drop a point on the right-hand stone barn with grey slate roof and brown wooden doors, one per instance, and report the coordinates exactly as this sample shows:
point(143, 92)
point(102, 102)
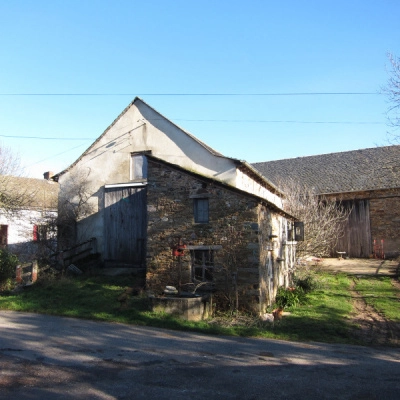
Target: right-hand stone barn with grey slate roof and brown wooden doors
point(366, 180)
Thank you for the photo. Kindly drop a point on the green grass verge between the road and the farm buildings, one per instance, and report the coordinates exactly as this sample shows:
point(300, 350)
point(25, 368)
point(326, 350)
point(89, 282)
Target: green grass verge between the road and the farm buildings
point(322, 316)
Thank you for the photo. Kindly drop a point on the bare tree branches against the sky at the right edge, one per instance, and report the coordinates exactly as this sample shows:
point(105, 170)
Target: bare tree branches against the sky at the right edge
point(392, 91)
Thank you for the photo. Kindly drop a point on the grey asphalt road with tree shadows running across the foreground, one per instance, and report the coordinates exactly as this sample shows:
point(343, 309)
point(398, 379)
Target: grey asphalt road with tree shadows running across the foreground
point(45, 357)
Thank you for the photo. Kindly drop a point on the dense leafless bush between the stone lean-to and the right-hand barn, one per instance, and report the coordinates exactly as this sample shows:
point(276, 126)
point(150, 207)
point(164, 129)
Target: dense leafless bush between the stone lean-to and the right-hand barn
point(324, 219)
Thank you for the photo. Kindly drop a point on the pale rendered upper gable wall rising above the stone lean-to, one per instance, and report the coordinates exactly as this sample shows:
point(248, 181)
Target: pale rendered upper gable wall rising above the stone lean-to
point(140, 128)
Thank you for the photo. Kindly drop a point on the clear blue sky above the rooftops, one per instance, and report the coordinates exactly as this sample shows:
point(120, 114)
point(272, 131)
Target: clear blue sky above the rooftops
point(144, 48)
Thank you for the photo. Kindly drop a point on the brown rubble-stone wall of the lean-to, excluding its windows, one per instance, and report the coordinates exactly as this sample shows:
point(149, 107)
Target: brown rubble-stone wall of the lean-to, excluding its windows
point(234, 231)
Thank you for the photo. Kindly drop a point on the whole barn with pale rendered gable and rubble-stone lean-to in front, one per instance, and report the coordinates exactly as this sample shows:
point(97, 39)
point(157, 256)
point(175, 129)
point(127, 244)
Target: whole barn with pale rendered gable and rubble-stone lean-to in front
point(158, 199)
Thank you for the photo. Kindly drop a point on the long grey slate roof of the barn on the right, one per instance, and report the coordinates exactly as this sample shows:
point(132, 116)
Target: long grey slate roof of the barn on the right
point(350, 171)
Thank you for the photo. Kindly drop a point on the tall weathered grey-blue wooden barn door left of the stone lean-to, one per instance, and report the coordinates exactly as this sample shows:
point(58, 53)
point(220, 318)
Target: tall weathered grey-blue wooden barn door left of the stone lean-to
point(125, 223)
